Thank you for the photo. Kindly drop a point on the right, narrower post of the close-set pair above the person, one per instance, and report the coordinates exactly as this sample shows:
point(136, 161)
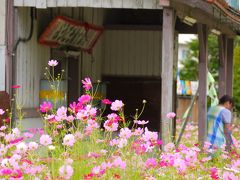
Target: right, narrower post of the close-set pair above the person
point(229, 78)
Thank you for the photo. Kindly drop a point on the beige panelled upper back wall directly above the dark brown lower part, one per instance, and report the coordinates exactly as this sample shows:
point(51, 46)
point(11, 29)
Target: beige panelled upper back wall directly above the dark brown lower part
point(132, 53)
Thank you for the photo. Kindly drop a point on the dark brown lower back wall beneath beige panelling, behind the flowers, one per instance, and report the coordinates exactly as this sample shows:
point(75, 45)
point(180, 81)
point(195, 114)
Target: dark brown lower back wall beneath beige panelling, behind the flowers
point(132, 91)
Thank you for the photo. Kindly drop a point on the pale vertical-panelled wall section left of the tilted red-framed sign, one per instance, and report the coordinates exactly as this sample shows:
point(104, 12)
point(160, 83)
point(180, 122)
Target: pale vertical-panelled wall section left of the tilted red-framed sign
point(29, 59)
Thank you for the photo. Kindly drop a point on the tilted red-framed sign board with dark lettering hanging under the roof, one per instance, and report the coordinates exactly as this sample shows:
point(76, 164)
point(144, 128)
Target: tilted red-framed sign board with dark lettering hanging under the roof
point(72, 34)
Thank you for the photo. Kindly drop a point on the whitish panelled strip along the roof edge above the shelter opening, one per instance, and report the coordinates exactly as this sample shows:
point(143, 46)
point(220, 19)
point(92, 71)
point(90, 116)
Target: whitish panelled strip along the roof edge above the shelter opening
point(141, 4)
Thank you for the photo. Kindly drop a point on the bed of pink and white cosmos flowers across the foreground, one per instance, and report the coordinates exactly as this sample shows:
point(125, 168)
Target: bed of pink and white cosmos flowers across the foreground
point(73, 145)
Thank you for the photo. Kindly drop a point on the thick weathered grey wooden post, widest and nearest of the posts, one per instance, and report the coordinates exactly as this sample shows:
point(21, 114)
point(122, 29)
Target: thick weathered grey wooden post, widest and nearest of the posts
point(167, 73)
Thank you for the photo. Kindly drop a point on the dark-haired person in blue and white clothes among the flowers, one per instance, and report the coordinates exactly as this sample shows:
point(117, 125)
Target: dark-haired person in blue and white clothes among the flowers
point(219, 123)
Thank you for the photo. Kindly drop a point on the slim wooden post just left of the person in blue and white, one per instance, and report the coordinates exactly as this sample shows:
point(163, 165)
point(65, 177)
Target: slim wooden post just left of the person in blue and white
point(202, 98)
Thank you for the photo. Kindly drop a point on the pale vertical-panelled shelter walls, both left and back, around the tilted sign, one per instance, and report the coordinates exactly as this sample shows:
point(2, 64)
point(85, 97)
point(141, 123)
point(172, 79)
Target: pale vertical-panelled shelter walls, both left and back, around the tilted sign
point(118, 52)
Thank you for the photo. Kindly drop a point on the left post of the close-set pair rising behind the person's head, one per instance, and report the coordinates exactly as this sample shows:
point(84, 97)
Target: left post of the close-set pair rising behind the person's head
point(222, 39)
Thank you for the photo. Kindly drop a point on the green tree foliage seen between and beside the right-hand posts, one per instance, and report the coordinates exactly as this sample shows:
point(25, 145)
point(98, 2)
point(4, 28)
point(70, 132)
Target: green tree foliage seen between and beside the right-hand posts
point(190, 64)
